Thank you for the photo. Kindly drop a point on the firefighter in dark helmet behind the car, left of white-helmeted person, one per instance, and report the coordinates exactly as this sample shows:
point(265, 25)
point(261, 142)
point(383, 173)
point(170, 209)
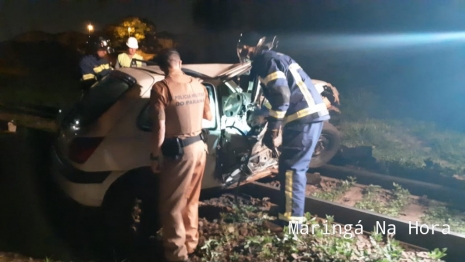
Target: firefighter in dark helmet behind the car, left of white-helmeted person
point(94, 64)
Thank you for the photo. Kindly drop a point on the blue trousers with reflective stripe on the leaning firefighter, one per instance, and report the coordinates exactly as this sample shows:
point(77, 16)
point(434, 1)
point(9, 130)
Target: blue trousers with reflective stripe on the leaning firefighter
point(298, 144)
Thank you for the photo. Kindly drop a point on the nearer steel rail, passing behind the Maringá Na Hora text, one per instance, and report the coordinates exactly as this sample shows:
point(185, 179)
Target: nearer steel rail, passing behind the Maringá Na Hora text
point(404, 231)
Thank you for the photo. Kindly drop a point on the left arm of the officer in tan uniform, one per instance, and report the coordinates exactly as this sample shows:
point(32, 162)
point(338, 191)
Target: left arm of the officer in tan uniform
point(158, 102)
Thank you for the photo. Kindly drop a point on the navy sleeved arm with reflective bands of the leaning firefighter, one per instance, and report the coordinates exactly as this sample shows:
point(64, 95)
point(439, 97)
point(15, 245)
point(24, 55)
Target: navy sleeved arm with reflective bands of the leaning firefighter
point(277, 93)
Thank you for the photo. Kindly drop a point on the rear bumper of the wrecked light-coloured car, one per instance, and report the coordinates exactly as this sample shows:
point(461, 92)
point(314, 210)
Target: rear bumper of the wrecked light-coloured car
point(86, 188)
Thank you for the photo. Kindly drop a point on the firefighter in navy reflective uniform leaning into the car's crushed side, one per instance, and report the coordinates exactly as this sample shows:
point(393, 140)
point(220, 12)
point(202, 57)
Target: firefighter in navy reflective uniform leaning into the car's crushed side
point(295, 107)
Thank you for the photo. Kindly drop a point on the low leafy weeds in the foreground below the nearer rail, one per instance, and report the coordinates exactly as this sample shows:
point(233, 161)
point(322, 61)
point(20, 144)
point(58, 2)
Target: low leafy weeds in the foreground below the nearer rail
point(246, 239)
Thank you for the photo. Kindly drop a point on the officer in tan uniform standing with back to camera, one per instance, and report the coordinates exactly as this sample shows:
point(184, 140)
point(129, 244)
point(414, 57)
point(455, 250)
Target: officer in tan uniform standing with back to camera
point(179, 103)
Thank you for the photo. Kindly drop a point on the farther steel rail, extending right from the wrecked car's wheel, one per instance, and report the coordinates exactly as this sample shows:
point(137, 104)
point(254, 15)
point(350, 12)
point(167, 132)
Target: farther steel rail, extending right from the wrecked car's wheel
point(433, 191)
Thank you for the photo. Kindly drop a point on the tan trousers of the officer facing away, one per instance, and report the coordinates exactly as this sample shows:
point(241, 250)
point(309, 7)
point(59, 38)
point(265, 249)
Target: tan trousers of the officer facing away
point(180, 185)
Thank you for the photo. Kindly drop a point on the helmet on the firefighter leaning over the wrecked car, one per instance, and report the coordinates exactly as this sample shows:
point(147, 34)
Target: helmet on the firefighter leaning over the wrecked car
point(253, 39)
